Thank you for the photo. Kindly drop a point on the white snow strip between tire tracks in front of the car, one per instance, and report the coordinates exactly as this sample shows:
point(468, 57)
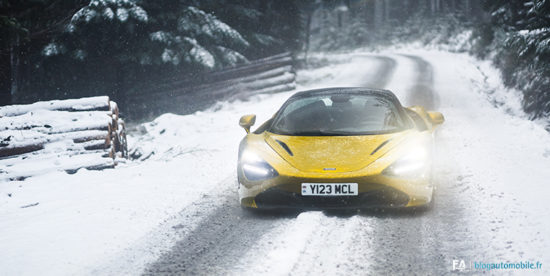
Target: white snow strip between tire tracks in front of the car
point(302, 241)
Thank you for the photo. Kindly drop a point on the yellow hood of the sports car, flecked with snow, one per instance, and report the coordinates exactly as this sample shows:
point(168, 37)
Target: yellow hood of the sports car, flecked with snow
point(332, 153)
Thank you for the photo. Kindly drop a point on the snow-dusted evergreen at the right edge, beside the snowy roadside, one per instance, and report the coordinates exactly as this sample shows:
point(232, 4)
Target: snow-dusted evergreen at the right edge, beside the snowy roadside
point(524, 56)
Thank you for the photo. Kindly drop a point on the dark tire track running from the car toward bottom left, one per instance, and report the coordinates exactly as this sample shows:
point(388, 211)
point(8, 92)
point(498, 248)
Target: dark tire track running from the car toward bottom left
point(218, 242)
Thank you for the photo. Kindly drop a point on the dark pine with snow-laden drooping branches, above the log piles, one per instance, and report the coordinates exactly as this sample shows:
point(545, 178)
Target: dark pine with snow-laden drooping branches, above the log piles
point(119, 43)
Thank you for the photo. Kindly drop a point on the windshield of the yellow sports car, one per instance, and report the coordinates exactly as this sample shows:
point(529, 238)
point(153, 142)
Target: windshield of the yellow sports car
point(342, 114)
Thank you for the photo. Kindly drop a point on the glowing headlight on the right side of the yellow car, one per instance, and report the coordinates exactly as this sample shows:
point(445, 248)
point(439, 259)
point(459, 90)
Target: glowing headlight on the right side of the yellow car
point(415, 163)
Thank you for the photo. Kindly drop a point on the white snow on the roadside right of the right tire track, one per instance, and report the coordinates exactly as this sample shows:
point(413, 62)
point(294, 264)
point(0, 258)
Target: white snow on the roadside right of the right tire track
point(500, 152)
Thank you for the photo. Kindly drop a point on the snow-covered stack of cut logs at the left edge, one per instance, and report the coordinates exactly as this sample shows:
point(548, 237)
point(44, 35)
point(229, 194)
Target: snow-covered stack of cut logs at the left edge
point(62, 135)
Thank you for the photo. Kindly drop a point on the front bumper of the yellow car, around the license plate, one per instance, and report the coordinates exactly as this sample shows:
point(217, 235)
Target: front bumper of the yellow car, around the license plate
point(373, 191)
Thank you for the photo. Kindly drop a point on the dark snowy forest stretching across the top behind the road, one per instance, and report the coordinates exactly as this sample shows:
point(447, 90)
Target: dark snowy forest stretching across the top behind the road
point(55, 49)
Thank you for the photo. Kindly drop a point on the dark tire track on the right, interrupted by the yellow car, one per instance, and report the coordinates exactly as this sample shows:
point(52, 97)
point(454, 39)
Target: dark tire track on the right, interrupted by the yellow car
point(426, 242)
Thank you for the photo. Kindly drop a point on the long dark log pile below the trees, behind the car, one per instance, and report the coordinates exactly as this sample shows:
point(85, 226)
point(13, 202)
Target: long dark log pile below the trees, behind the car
point(187, 95)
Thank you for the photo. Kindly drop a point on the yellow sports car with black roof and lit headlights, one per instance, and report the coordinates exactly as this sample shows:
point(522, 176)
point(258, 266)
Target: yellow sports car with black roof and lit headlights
point(338, 148)
